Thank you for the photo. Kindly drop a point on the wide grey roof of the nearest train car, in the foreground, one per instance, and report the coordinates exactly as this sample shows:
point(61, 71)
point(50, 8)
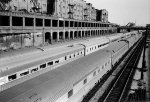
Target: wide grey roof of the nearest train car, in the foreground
point(59, 81)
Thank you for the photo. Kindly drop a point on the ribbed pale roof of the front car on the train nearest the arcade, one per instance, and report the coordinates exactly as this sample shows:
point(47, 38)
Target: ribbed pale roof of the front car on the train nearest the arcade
point(10, 66)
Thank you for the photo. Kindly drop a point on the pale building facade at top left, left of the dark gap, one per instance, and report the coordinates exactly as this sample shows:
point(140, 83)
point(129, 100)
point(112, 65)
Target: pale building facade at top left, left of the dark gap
point(27, 6)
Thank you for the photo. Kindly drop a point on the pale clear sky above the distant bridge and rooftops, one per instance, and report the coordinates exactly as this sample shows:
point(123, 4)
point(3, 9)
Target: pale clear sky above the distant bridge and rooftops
point(124, 11)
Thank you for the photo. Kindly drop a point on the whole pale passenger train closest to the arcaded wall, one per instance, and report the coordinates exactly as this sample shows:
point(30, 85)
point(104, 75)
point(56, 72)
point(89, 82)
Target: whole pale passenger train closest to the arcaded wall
point(21, 66)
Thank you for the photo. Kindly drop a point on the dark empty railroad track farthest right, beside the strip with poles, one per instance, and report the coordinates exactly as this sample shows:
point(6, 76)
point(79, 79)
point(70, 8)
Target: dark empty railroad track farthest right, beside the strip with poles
point(118, 92)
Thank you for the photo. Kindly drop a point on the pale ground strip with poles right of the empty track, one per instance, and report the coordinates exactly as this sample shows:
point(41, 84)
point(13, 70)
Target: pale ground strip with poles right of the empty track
point(145, 83)
